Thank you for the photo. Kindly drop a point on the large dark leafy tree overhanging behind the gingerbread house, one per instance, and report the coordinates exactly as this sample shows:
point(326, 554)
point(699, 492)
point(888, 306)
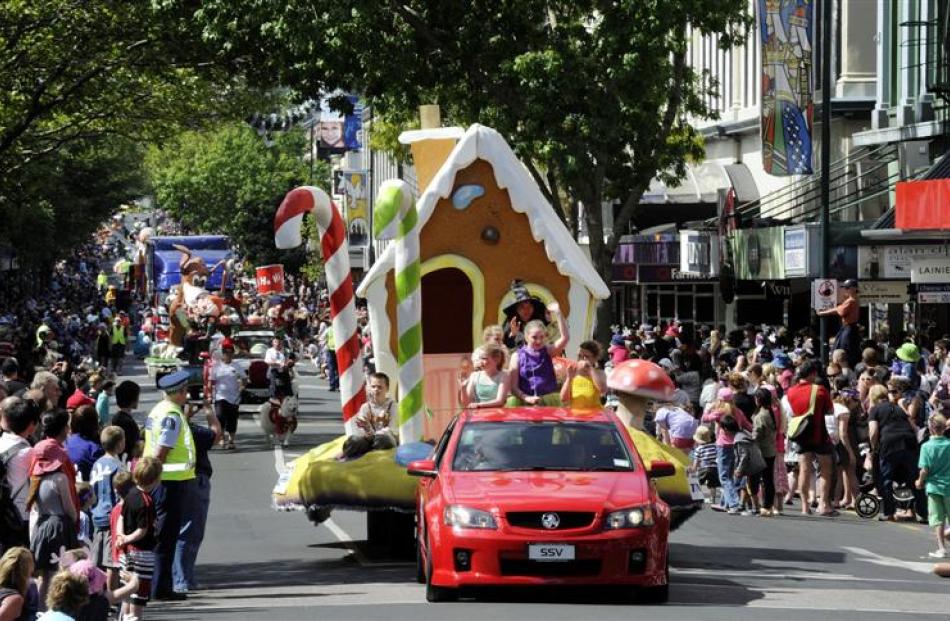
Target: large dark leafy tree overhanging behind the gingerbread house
point(595, 95)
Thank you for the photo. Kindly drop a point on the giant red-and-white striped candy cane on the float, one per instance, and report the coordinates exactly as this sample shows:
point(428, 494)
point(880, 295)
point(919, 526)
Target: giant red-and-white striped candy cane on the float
point(336, 259)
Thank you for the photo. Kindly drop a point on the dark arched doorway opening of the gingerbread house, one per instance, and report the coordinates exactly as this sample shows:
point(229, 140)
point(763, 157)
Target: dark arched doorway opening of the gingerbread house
point(446, 312)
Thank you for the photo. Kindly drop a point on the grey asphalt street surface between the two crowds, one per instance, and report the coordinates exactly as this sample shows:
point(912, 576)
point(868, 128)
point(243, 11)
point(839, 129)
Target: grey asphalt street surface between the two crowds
point(257, 563)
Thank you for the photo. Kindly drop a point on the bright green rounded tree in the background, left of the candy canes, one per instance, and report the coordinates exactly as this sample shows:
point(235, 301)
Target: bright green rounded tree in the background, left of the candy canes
point(228, 181)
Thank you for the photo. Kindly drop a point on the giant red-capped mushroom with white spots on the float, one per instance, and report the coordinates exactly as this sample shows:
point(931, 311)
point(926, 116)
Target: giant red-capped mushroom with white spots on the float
point(636, 383)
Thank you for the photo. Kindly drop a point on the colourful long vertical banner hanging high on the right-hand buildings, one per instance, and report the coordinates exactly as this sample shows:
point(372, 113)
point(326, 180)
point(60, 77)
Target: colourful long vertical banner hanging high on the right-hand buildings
point(786, 32)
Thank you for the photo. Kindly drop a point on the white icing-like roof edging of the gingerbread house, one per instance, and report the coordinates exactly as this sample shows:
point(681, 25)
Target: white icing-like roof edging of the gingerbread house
point(480, 142)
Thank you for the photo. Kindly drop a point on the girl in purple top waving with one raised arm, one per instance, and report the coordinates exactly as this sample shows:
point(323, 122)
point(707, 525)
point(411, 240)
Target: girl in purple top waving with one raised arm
point(533, 381)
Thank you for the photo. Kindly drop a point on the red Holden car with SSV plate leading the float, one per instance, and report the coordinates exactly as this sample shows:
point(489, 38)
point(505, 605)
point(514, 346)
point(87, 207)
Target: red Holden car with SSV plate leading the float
point(540, 496)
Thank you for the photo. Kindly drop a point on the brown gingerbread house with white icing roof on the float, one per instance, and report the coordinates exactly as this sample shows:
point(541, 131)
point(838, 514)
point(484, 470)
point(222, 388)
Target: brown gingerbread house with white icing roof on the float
point(483, 223)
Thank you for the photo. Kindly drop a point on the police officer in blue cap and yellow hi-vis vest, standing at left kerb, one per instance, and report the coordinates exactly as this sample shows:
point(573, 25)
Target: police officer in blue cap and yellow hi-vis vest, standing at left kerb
point(168, 438)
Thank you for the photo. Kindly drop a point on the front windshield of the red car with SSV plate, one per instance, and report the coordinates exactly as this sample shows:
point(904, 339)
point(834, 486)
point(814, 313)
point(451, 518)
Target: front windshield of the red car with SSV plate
point(550, 445)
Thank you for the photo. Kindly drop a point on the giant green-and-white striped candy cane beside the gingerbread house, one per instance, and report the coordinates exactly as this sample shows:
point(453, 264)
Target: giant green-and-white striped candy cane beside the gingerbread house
point(396, 217)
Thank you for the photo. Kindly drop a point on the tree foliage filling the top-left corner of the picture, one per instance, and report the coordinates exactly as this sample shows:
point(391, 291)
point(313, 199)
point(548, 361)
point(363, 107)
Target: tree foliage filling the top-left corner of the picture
point(81, 82)
